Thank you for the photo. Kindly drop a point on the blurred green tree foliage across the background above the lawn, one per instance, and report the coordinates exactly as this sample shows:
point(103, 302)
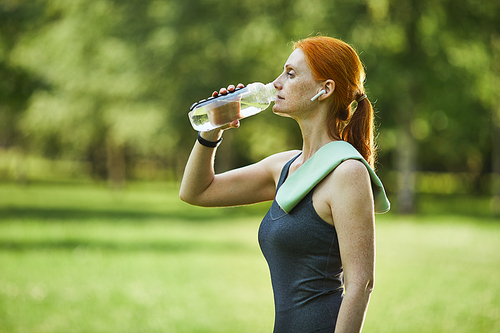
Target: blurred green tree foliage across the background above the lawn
point(110, 82)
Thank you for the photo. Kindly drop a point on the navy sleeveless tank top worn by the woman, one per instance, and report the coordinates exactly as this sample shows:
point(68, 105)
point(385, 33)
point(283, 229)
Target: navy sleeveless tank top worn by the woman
point(303, 255)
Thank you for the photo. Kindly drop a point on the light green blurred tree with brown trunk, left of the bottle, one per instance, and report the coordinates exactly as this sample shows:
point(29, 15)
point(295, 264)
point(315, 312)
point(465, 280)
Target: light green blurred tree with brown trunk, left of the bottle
point(98, 104)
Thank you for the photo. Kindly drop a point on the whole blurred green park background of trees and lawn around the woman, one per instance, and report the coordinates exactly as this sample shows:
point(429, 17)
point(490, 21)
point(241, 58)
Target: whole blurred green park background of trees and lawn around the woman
point(94, 137)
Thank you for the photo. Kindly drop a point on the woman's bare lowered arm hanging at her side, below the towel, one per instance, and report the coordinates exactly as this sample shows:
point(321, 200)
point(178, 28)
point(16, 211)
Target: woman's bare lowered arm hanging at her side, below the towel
point(353, 216)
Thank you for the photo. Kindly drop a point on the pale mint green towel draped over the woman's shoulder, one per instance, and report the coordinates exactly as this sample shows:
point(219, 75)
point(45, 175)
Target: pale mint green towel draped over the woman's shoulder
point(327, 158)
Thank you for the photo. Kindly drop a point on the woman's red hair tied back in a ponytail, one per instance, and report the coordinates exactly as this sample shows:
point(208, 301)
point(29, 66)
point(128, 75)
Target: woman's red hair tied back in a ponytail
point(331, 58)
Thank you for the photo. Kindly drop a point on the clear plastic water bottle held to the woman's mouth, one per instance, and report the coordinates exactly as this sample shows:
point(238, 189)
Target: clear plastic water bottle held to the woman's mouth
point(216, 112)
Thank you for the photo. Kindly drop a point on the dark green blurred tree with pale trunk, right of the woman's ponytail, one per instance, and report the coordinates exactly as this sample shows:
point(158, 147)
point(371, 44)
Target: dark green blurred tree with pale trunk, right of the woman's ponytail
point(416, 53)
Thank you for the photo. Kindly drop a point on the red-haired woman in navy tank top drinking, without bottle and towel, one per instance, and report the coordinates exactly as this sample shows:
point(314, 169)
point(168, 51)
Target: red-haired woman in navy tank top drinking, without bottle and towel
point(327, 238)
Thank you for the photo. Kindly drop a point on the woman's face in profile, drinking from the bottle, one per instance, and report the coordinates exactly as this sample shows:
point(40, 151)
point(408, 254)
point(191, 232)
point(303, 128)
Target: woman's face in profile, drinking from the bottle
point(295, 86)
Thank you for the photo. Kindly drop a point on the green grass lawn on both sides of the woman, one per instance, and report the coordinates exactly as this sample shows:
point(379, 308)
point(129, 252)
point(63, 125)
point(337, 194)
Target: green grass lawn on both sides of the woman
point(86, 259)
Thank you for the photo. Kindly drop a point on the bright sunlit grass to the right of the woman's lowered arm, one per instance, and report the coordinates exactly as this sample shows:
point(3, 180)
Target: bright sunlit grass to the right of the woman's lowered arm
point(436, 276)
